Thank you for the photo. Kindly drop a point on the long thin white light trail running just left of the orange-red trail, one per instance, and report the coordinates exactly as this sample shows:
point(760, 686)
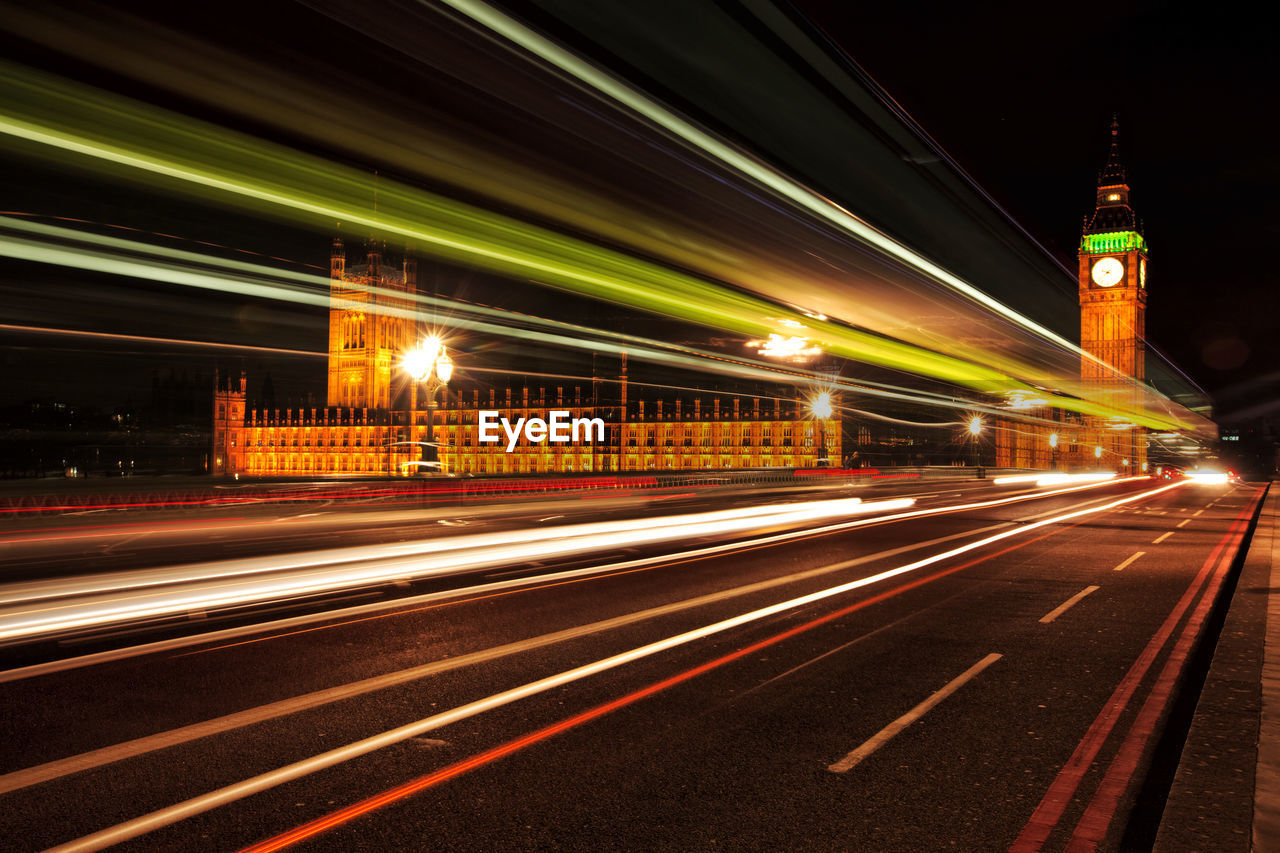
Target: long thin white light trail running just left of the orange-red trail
point(235, 792)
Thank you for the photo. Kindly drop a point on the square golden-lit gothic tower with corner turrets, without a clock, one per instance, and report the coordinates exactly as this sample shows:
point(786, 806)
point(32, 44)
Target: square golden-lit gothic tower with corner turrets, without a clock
point(371, 326)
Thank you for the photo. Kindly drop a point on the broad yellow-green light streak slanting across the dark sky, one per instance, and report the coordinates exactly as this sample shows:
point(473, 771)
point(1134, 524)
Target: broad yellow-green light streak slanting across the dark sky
point(117, 133)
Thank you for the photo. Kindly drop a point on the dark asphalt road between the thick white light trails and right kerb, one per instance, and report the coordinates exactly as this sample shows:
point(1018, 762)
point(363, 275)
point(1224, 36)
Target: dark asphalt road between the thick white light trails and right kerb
point(904, 686)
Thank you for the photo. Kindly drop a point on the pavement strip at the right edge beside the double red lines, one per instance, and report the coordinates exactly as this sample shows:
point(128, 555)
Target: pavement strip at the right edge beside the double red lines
point(1227, 791)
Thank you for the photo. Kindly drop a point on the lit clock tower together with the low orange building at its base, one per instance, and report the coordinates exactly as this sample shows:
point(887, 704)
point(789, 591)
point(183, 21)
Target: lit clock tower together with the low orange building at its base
point(1113, 290)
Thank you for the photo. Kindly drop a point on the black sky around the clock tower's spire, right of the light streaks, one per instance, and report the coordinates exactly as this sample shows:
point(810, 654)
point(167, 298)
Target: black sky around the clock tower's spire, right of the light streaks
point(1021, 95)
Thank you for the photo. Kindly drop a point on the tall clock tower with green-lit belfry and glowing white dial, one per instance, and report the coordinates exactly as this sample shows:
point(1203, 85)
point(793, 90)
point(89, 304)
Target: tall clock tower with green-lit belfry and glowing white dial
point(1114, 317)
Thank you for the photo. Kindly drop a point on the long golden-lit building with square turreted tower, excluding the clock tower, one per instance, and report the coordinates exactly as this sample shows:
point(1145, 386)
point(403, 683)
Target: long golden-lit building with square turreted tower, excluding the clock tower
point(365, 431)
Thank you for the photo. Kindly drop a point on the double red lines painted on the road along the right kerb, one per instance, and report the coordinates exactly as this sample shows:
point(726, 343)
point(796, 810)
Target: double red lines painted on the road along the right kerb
point(1046, 816)
